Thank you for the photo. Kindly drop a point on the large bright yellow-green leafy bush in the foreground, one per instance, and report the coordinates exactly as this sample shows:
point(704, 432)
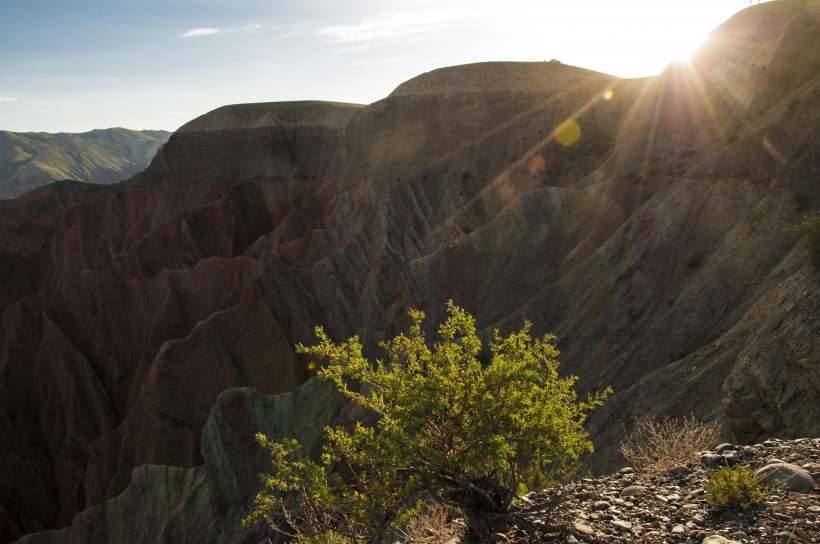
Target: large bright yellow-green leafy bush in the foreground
point(449, 431)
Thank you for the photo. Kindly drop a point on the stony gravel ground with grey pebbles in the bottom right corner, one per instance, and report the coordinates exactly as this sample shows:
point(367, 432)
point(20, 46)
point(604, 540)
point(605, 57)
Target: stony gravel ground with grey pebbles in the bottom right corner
point(629, 506)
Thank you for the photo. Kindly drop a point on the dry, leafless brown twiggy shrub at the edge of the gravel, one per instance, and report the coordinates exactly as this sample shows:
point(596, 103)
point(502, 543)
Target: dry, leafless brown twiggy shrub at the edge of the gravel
point(656, 446)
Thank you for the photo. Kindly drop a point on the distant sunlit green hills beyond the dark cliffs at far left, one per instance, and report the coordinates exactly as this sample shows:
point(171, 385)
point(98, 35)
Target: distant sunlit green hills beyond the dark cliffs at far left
point(31, 159)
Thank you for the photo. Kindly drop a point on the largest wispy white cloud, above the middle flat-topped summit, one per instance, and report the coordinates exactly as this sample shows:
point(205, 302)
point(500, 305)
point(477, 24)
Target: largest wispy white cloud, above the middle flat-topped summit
point(392, 25)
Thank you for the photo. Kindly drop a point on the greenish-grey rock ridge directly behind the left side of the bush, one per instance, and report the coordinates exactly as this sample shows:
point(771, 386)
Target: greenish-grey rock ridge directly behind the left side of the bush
point(171, 504)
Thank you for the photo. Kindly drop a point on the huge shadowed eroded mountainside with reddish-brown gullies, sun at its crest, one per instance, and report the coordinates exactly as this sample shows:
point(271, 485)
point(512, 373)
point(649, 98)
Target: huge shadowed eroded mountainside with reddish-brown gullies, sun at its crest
point(641, 221)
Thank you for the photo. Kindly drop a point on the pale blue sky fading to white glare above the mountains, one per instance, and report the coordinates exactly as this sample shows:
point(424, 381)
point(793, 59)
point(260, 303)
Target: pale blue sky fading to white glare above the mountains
point(73, 66)
